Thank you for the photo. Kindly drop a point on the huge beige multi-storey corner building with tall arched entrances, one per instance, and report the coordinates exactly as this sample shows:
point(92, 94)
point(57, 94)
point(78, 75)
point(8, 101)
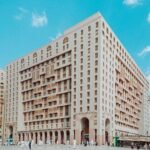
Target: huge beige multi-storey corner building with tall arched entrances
point(83, 85)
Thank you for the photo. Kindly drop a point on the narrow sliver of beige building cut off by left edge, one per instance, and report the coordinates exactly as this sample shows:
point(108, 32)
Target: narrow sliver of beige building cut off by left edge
point(2, 95)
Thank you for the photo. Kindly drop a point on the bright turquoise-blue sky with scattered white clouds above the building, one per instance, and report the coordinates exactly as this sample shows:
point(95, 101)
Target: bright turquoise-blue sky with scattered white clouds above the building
point(26, 25)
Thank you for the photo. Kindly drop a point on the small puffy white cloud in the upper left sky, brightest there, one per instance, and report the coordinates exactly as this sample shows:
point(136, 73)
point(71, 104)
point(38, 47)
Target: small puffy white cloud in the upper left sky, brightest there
point(39, 20)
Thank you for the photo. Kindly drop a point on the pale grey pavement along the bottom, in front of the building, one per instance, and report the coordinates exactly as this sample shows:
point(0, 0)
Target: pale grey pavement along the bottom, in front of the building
point(62, 147)
